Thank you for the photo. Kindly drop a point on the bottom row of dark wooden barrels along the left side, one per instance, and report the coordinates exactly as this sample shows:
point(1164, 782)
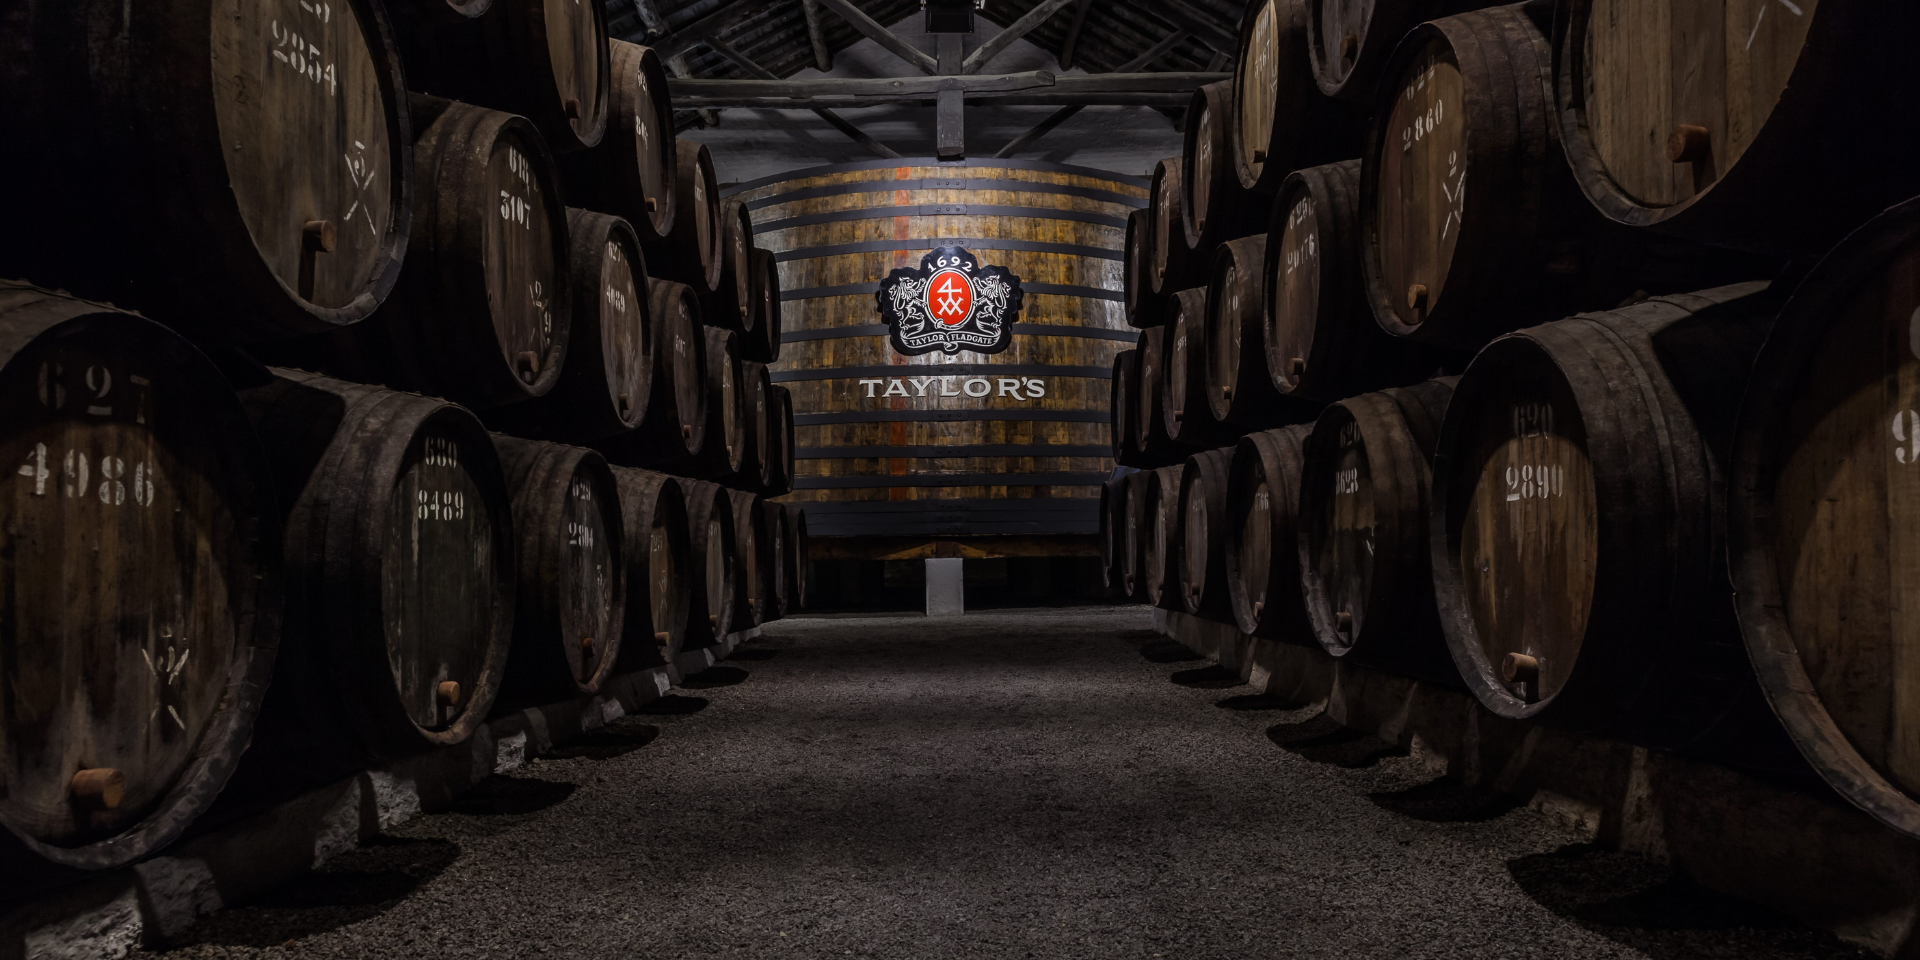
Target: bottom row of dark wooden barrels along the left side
point(197, 542)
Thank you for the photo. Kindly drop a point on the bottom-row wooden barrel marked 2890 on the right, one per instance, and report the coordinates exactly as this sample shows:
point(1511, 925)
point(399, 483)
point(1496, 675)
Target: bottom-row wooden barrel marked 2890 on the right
point(1577, 519)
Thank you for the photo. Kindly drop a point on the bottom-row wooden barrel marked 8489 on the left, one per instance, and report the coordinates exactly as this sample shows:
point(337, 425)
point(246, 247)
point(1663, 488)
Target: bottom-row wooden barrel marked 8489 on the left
point(400, 560)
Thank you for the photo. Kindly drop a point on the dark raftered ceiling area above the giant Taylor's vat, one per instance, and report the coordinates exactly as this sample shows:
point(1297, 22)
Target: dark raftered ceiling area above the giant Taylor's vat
point(773, 36)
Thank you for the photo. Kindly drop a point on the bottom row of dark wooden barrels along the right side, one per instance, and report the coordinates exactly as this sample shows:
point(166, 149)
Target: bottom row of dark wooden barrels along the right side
point(1648, 523)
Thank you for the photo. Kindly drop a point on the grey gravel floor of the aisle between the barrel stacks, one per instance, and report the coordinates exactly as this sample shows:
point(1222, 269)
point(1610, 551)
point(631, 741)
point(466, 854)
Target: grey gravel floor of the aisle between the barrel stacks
point(1053, 784)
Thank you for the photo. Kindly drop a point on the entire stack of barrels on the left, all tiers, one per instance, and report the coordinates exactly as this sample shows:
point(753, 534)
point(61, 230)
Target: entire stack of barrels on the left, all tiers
point(379, 439)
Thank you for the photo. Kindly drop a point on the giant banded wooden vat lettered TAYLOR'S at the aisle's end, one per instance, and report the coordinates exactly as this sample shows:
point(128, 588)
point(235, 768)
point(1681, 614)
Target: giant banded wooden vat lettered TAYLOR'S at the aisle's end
point(967, 443)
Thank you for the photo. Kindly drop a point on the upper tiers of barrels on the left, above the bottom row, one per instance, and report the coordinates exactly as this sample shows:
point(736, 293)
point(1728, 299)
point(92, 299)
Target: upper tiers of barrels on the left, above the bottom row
point(469, 203)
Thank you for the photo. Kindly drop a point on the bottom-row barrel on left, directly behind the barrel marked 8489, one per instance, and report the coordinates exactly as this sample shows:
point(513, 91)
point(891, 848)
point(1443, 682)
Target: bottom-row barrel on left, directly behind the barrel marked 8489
point(573, 590)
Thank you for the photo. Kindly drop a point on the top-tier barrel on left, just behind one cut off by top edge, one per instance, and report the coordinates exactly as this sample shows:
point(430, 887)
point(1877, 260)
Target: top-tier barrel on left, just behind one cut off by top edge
point(631, 172)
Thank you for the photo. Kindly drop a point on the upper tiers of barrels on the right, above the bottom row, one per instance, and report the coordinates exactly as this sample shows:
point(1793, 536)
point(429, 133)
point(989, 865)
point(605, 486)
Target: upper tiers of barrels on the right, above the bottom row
point(1351, 135)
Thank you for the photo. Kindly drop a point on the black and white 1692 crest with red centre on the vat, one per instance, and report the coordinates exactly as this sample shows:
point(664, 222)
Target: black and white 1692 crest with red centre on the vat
point(951, 304)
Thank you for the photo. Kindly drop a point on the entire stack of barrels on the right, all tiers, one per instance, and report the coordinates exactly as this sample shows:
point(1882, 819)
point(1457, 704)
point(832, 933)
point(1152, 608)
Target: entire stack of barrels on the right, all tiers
point(1477, 364)
